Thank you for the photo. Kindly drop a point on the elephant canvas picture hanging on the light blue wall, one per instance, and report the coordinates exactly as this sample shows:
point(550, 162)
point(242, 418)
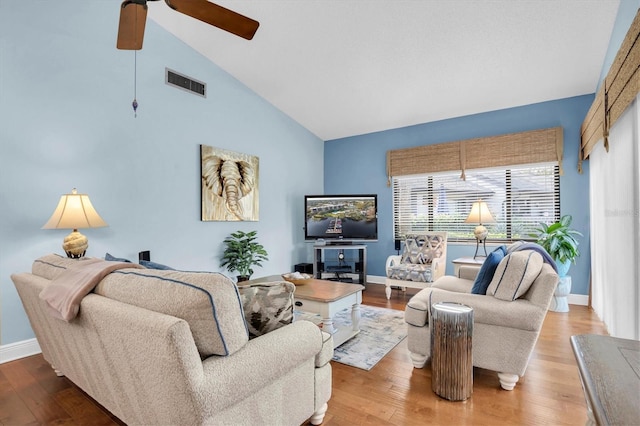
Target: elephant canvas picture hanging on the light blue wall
point(229, 185)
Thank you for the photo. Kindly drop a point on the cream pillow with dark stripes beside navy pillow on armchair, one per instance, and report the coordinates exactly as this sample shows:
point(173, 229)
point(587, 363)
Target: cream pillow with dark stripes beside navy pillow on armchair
point(515, 274)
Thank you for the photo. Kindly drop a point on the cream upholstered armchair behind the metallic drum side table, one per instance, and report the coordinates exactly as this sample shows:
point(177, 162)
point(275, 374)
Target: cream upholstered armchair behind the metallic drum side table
point(507, 319)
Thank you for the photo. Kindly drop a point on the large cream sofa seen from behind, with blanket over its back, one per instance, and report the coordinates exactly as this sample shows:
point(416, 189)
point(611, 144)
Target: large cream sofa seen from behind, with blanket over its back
point(172, 348)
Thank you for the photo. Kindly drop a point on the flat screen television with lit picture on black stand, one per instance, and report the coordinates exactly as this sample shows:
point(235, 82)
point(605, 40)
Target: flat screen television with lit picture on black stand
point(341, 218)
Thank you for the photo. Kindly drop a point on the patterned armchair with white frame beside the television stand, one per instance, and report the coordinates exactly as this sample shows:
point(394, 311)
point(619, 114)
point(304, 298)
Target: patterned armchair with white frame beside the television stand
point(423, 260)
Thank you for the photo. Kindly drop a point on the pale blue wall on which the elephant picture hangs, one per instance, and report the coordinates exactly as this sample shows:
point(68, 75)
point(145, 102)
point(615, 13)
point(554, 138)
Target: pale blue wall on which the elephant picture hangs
point(66, 121)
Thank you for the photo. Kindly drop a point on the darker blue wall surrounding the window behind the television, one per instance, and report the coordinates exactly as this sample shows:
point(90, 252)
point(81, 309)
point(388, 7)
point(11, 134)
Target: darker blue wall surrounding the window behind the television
point(358, 165)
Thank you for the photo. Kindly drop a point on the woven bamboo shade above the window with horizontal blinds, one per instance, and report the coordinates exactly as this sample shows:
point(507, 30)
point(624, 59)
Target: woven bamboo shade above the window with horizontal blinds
point(536, 146)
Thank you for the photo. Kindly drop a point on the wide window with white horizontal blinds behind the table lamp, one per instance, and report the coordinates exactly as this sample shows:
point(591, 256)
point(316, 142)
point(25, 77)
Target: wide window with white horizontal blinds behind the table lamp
point(518, 197)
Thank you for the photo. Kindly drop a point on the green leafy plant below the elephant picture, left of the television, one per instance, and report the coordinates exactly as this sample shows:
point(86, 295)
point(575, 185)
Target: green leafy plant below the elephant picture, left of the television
point(242, 252)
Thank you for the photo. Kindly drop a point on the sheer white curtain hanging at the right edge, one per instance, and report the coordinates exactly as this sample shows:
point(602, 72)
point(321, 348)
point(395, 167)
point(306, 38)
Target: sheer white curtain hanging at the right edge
point(615, 227)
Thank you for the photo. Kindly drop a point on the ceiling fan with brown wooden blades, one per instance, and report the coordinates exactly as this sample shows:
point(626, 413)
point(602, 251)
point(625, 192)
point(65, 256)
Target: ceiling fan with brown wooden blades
point(133, 16)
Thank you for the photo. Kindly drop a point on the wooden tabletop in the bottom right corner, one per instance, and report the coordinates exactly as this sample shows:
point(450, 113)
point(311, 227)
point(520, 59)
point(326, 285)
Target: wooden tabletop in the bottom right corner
point(610, 373)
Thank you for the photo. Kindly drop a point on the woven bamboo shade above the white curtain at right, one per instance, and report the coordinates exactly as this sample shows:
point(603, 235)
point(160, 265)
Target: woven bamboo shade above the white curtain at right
point(619, 88)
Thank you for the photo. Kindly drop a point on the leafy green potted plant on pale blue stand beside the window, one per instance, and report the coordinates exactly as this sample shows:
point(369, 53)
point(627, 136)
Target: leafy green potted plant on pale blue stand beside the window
point(558, 239)
